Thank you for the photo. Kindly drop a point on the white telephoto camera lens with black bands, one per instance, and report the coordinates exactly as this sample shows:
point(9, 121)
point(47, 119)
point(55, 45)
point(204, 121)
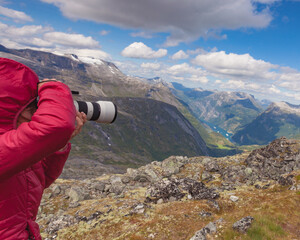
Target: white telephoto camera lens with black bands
point(100, 111)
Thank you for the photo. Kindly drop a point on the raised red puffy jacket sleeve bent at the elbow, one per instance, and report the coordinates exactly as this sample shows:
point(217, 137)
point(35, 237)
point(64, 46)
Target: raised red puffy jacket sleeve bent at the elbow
point(49, 130)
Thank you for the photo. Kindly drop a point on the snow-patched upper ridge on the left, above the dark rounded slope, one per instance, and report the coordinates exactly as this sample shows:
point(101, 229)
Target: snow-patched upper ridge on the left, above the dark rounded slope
point(98, 78)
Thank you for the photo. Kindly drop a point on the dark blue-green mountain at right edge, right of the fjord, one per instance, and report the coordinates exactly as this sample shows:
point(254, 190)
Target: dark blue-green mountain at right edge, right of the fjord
point(279, 119)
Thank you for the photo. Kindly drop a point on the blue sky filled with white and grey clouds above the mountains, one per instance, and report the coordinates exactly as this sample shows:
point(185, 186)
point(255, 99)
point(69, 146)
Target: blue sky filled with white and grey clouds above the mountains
point(227, 45)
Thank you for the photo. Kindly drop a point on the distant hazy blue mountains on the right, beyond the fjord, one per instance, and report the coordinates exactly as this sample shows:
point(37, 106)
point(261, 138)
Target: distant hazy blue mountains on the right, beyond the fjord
point(251, 121)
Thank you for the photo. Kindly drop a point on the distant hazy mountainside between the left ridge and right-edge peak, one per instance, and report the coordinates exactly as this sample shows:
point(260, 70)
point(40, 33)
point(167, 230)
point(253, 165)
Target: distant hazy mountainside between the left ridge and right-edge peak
point(227, 110)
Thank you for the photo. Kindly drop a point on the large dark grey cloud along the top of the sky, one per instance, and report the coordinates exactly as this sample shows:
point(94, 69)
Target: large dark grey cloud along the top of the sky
point(201, 18)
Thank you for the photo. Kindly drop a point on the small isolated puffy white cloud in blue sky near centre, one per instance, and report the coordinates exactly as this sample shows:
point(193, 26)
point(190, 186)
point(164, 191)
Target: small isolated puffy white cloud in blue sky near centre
point(140, 50)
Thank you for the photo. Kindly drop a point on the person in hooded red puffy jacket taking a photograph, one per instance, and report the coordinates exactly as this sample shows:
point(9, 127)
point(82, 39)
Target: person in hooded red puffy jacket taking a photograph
point(34, 144)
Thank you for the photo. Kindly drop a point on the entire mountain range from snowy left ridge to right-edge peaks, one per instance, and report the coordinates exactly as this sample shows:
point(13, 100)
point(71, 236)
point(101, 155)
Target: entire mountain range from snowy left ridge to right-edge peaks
point(156, 119)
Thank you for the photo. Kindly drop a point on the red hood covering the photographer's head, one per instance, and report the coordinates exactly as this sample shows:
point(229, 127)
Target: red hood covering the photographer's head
point(18, 87)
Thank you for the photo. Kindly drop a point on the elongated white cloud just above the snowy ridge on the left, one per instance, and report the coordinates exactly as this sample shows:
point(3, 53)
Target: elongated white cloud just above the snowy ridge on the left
point(71, 40)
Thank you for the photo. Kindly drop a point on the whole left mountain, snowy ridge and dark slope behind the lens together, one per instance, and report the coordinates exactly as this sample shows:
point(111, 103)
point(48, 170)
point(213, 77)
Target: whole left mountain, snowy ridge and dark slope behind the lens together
point(152, 123)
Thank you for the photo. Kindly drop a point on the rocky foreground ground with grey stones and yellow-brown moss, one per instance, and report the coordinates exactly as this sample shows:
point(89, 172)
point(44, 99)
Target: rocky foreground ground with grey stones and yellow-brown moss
point(248, 196)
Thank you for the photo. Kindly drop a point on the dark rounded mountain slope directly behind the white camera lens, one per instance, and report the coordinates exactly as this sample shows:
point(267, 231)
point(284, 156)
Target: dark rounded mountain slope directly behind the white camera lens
point(145, 130)
